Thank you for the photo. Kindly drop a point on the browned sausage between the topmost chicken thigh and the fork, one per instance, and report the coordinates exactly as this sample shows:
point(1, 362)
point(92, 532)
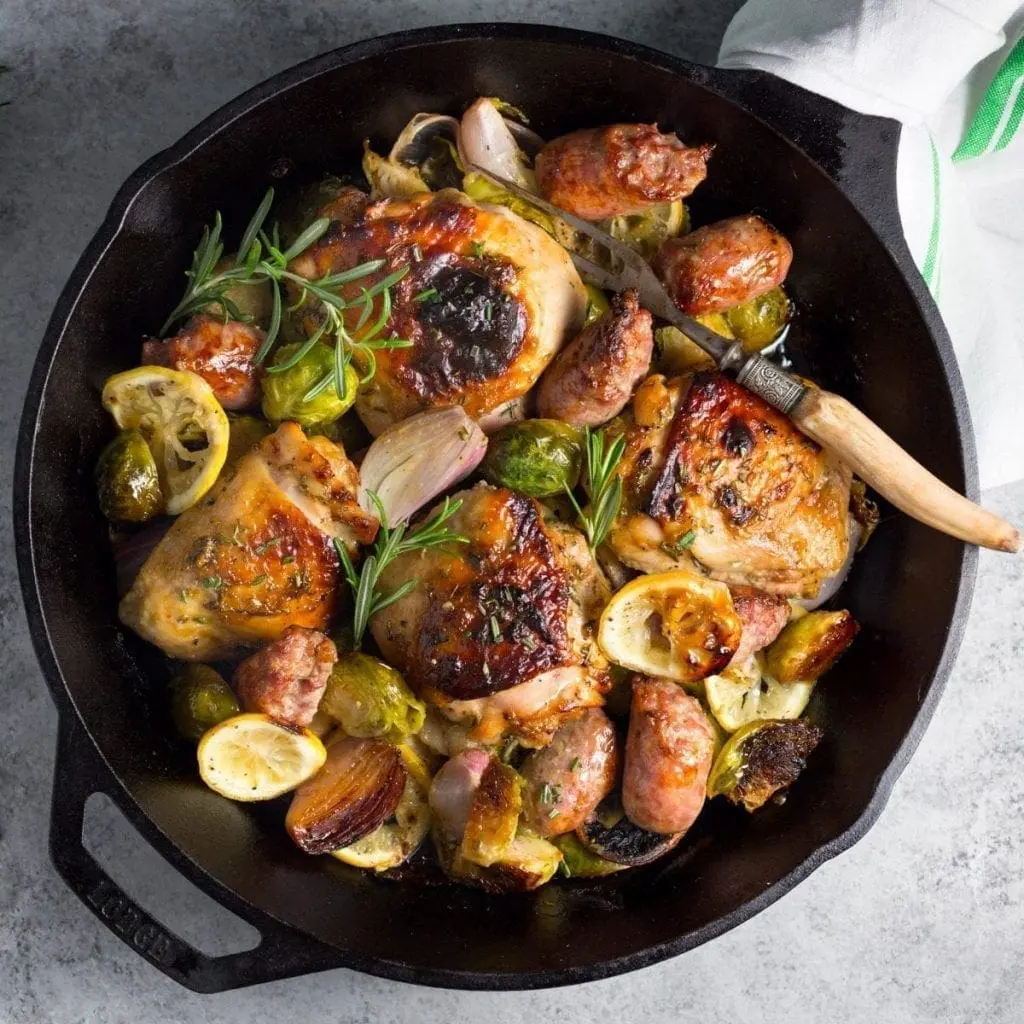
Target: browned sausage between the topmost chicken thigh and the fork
point(593, 378)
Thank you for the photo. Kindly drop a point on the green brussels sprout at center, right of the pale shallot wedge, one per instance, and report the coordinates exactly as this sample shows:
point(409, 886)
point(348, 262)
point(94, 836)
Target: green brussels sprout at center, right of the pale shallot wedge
point(537, 458)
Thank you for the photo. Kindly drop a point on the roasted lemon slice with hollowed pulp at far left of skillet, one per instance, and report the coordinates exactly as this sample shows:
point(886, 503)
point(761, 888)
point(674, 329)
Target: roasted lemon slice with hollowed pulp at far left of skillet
point(180, 417)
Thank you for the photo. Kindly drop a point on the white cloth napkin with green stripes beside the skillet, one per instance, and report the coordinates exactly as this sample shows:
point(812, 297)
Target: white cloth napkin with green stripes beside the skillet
point(951, 72)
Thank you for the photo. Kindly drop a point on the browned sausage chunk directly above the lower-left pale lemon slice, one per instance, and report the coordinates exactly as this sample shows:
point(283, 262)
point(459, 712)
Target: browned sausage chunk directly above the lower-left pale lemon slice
point(287, 678)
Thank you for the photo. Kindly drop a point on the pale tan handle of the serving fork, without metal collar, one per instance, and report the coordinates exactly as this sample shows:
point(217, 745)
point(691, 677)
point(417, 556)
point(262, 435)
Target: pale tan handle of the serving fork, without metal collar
point(880, 462)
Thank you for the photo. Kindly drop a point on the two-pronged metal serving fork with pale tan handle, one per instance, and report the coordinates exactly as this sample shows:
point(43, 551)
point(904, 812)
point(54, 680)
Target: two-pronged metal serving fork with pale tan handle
point(827, 418)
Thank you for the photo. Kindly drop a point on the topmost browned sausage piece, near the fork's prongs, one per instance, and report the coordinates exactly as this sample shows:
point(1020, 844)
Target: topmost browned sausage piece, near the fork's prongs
point(604, 173)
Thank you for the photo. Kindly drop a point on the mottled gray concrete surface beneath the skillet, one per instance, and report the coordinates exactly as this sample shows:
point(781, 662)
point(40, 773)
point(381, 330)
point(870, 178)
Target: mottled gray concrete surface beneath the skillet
point(919, 923)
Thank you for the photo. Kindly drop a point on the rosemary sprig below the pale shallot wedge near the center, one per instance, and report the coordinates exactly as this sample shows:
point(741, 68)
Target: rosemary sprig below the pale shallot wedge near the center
point(392, 542)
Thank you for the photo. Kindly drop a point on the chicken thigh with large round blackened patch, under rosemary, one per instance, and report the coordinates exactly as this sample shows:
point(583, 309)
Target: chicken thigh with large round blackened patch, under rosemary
point(487, 304)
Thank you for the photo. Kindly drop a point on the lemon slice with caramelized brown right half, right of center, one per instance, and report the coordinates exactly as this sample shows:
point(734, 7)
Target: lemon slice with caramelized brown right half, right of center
point(677, 625)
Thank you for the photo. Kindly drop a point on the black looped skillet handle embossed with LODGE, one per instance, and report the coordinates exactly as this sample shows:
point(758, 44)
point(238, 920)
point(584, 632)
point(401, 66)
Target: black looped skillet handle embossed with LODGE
point(80, 773)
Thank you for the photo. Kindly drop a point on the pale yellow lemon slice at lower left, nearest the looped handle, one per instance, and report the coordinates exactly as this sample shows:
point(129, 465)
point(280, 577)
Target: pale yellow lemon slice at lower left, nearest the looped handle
point(251, 757)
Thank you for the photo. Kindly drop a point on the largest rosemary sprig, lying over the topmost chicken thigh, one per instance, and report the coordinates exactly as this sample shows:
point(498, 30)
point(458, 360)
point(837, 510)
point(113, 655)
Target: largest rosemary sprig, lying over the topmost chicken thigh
point(261, 258)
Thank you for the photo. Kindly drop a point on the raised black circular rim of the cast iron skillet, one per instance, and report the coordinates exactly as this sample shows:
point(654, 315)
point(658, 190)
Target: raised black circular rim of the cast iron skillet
point(65, 309)
